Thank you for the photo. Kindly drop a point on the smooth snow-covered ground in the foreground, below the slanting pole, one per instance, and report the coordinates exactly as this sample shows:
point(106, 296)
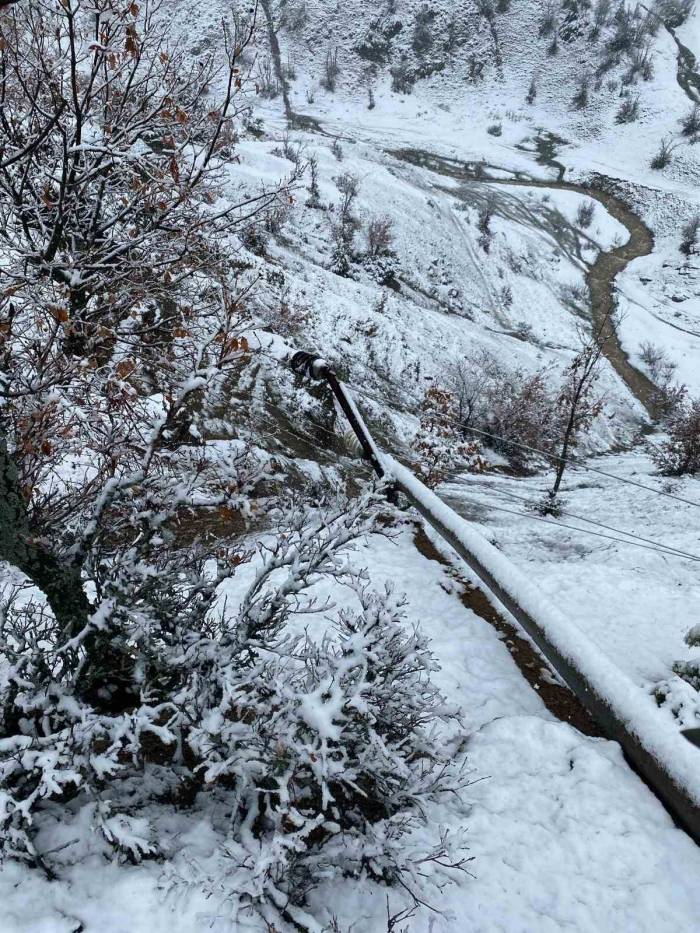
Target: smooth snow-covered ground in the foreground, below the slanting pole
point(562, 833)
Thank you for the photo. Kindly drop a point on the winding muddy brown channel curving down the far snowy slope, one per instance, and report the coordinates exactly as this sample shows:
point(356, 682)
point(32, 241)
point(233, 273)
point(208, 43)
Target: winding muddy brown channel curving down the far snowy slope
point(609, 264)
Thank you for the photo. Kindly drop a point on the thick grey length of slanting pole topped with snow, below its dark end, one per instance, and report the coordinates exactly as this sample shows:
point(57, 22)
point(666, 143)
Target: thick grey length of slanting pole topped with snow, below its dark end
point(662, 756)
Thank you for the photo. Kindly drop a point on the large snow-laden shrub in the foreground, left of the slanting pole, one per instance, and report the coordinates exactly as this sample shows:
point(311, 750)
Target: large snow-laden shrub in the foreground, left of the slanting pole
point(320, 743)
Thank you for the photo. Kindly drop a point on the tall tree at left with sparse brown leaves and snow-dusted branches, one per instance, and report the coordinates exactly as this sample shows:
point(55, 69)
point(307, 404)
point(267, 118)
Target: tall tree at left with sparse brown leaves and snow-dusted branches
point(118, 288)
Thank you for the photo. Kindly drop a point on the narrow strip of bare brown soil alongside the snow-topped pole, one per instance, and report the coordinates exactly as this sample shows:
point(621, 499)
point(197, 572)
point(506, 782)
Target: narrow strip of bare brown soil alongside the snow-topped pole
point(559, 700)
